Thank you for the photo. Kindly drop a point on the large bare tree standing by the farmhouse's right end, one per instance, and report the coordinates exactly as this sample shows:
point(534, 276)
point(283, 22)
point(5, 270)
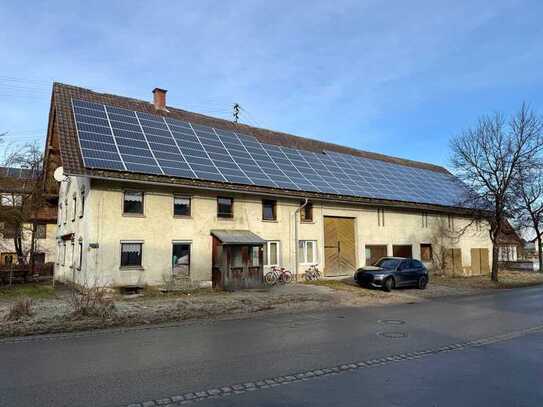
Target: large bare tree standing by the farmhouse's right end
point(488, 158)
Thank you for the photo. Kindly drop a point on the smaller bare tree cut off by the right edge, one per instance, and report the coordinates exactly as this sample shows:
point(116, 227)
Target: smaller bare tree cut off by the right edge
point(529, 187)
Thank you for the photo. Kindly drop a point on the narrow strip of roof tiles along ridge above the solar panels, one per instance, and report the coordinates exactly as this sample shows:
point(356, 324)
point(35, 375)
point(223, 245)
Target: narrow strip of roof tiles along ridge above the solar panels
point(270, 136)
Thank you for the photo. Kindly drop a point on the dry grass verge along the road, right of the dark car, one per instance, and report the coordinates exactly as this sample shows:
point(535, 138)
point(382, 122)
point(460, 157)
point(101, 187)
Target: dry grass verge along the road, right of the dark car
point(507, 279)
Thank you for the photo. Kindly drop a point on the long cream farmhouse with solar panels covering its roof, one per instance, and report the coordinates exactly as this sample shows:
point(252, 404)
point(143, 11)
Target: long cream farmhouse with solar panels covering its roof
point(151, 194)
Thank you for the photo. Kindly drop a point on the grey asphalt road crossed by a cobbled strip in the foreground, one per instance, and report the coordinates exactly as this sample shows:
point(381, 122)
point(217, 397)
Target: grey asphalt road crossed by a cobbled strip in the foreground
point(116, 367)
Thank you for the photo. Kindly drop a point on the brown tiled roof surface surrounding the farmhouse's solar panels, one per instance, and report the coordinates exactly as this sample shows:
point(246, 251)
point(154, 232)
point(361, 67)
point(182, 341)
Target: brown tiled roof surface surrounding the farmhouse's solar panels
point(62, 123)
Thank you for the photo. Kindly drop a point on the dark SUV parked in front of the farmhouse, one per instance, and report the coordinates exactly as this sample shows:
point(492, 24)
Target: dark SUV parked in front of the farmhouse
point(391, 272)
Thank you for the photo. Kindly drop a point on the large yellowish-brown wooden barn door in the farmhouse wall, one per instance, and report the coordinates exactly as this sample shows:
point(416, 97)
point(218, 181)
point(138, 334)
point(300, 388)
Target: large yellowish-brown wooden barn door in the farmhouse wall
point(339, 246)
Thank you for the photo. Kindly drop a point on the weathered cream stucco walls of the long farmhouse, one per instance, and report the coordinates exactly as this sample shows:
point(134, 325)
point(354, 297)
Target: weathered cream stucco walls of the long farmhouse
point(98, 231)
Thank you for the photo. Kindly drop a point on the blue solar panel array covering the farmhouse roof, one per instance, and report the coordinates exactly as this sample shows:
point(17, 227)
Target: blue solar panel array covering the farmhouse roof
point(113, 138)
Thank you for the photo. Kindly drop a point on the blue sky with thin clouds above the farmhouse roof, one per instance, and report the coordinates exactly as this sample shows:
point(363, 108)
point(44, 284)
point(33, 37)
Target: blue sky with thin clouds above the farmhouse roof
point(394, 77)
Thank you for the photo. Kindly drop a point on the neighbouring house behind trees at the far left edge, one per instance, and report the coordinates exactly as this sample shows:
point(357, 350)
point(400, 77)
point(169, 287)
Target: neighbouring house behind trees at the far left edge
point(14, 184)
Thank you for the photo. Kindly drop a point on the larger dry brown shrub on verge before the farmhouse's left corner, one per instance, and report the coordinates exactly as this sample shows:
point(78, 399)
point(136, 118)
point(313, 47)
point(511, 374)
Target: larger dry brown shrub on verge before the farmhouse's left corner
point(92, 302)
